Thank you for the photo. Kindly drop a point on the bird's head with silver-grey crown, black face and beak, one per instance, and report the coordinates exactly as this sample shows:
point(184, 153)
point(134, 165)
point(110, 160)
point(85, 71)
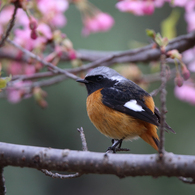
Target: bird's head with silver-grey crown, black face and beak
point(100, 77)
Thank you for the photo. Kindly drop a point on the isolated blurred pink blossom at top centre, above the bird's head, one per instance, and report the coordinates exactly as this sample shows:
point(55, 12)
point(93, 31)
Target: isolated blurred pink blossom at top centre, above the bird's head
point(101, 22)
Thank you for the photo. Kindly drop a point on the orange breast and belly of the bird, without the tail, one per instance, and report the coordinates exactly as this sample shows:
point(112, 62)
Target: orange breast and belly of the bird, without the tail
point(110, 122)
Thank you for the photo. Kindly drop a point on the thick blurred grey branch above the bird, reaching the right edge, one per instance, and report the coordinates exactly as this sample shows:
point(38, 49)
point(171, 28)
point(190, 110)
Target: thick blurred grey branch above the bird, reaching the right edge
point(144, 54)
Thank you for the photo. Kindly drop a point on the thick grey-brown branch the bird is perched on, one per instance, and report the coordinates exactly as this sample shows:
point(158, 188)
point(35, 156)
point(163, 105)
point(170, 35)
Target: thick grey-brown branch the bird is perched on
point(83, 162)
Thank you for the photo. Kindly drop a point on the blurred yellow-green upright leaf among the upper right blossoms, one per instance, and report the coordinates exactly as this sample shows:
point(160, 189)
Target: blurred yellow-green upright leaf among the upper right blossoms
point(168, 26)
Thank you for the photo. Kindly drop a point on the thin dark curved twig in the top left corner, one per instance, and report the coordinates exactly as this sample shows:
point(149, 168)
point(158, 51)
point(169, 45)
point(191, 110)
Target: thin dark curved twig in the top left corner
point(4, 37)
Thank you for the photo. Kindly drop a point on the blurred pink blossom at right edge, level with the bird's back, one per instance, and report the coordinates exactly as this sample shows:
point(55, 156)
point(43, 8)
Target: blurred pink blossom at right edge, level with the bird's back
point(186, 93)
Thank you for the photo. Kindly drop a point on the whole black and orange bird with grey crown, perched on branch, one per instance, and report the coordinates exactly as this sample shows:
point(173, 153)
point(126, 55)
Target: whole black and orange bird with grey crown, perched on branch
point(120, 109)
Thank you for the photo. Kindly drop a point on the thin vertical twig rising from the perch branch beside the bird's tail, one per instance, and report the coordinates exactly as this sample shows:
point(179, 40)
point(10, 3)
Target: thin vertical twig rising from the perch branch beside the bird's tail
point(163, 105)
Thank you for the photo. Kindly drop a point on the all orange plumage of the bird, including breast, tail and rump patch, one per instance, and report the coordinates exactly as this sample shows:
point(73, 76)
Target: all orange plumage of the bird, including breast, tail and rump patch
point(118, 125)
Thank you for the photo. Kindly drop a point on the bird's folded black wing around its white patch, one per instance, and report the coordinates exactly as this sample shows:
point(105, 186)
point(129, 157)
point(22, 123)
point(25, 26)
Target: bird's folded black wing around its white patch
point(116, 99)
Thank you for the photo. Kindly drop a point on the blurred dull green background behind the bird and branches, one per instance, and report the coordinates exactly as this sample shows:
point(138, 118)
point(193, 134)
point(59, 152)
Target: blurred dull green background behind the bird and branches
point(56, 126)
